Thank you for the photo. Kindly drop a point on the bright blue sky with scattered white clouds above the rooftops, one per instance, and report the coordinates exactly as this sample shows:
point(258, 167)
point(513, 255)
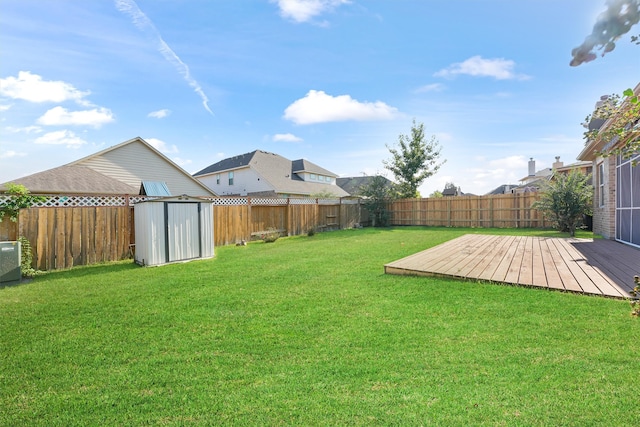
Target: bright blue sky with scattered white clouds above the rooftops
point(331, 81)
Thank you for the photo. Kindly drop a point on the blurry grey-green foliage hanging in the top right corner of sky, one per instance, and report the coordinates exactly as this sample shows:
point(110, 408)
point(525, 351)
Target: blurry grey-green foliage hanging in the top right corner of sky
point(610, 25)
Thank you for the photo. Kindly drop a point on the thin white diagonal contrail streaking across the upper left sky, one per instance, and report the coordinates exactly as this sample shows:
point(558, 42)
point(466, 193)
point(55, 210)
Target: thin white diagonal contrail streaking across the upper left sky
point(145, 25)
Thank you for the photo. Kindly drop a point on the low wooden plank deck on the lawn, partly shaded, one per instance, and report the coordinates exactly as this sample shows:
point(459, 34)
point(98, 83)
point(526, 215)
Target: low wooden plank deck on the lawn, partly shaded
point(599, 267)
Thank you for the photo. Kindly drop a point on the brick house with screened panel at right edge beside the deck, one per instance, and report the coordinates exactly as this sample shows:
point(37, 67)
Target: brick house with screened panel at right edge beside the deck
point(616, 208)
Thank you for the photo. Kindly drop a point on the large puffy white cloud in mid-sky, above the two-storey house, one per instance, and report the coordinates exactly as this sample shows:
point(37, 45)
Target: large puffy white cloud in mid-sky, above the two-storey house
point(318, 107)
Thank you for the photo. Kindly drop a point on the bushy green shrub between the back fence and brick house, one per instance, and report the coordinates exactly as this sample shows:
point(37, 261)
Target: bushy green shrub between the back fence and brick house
point(565, 200)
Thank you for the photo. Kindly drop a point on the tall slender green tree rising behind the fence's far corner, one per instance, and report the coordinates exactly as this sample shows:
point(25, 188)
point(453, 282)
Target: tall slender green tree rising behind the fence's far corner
point(415, 160)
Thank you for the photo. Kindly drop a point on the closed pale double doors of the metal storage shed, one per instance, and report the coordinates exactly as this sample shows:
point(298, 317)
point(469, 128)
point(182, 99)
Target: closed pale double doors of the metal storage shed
point(183, 231)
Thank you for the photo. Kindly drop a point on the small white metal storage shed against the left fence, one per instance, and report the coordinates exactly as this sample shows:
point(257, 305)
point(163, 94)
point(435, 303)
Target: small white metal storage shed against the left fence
point(173, 229)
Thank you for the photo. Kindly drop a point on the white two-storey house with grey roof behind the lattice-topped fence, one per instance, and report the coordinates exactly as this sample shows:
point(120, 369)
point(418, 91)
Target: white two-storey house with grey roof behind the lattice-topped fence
point(263, 174)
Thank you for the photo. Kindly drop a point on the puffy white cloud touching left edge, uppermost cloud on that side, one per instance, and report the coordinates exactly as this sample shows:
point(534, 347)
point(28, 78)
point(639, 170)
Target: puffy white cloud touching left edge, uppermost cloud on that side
point(31, 87)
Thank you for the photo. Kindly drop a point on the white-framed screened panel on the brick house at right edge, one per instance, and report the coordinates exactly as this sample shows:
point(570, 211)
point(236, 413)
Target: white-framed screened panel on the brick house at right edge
point(628, 200)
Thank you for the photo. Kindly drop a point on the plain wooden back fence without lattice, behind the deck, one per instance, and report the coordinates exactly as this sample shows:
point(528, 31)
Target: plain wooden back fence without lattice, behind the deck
point(501, 211)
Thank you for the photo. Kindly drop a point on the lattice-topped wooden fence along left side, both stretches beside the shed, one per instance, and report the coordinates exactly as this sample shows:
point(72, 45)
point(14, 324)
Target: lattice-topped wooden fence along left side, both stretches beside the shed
point(67, 231)
